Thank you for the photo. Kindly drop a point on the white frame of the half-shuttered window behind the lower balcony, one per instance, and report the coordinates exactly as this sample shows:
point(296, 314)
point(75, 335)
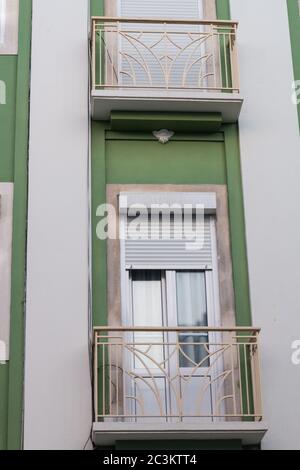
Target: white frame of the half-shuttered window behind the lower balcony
point(211, 275)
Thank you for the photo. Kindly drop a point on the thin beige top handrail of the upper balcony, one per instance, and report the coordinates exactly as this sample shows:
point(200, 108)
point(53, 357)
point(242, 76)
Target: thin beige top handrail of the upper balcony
point(117, 19)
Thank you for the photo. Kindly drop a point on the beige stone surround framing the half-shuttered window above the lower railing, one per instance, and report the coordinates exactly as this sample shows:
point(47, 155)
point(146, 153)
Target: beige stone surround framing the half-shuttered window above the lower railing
point(227, 309)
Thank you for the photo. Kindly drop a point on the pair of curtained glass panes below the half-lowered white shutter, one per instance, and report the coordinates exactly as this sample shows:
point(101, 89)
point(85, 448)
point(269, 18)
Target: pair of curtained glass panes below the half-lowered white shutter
point(172, 298)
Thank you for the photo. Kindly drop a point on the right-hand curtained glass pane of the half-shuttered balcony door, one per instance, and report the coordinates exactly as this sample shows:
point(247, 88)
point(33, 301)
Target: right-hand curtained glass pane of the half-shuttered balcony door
point(192, 311)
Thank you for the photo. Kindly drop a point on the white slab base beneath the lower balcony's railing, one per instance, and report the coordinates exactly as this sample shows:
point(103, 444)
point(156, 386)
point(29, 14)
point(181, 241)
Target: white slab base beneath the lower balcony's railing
point(249, 433)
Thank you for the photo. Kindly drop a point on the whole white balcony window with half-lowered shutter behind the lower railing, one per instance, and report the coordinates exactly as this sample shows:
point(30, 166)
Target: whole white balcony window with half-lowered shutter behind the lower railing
point(172, 288)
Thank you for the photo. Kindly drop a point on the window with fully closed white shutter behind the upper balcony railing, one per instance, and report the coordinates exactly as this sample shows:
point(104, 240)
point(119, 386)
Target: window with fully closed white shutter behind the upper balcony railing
point(156, 54)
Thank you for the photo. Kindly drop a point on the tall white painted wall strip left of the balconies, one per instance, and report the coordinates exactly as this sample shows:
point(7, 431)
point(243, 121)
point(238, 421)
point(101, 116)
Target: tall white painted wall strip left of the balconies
point(57, 381)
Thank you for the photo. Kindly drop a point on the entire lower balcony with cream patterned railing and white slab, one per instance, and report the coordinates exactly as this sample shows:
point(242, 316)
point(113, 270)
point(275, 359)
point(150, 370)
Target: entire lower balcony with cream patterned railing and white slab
point(177, 383)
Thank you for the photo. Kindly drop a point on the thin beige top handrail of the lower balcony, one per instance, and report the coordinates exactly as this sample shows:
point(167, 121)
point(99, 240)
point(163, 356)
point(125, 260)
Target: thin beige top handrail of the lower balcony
point(200, 329)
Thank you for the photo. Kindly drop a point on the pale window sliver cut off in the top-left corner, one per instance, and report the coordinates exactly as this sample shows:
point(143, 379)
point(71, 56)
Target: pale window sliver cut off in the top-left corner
point(9, 13)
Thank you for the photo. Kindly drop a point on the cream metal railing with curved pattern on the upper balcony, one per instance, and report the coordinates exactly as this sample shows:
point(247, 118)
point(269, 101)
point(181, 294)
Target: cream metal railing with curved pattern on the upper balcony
point(164, 54)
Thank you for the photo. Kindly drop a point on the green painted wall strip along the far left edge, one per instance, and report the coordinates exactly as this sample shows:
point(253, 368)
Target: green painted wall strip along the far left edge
point(14, 117)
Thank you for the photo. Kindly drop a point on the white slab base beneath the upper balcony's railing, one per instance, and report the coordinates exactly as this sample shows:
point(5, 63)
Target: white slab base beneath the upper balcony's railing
point(104, 102)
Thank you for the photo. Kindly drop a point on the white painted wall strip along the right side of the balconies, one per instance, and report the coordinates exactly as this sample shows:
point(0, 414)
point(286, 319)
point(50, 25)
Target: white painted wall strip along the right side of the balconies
point(270, 152)
